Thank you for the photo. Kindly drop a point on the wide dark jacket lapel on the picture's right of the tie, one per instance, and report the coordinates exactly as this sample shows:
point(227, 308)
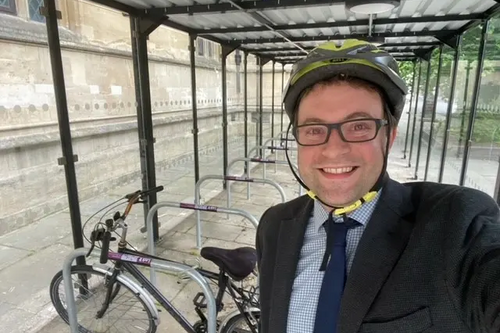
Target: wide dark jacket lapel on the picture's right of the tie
point(379, 249)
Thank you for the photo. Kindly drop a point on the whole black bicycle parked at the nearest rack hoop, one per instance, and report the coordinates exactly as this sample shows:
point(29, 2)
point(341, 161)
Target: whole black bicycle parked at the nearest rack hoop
point(234, 266)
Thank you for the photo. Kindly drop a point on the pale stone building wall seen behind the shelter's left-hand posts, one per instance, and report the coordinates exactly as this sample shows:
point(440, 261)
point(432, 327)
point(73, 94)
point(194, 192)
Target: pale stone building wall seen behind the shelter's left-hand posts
point(101, 104)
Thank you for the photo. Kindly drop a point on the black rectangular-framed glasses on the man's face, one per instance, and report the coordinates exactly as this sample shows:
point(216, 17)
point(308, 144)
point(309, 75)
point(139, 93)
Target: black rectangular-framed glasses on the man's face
point(356, 130)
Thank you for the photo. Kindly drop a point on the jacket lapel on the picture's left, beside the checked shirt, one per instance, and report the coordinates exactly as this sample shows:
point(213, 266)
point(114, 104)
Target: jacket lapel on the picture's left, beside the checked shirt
point(289, 245)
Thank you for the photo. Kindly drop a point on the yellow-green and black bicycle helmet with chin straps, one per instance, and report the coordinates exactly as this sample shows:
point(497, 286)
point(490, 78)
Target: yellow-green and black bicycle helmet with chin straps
point(354, 58)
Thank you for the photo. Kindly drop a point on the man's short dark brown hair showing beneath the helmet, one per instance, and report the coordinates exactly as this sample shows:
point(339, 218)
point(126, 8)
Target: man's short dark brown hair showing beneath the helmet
point(355, 83)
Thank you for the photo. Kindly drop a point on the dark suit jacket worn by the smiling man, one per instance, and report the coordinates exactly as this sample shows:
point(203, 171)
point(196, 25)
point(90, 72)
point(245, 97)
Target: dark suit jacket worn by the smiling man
point(428, 261)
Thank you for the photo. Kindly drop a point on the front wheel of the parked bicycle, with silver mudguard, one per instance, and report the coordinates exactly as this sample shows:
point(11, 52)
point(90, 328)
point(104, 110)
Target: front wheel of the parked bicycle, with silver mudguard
point(126, 311)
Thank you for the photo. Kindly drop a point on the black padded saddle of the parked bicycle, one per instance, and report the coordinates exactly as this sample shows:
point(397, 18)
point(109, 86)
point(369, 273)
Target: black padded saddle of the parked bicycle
point(237, 263)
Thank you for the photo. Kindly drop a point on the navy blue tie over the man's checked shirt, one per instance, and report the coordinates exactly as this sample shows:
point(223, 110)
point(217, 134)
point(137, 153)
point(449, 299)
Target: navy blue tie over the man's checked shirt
point(332, 288)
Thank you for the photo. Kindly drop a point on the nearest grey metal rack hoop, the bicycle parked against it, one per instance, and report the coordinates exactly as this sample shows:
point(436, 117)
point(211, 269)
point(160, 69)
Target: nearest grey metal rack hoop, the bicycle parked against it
point(154, 264)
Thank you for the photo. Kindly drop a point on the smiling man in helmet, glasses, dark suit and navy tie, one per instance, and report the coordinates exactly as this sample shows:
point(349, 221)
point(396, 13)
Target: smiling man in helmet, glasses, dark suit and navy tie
point(361, 252)
